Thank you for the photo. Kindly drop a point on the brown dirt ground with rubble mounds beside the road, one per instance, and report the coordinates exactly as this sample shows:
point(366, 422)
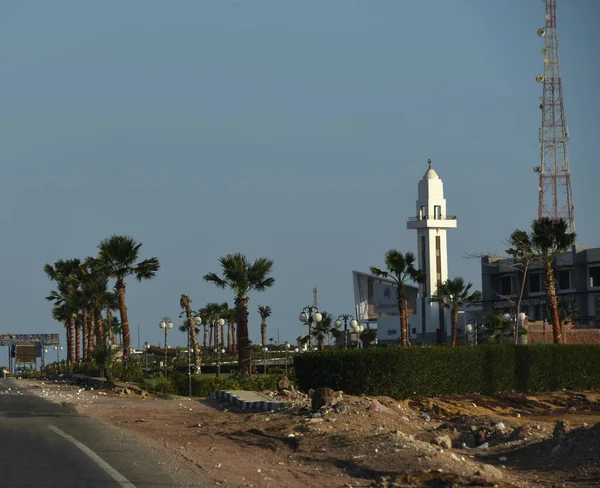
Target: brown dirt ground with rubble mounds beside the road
point(518, 440)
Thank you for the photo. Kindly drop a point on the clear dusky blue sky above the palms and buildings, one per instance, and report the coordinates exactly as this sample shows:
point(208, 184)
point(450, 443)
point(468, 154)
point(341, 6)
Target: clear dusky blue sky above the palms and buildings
point(297, 130)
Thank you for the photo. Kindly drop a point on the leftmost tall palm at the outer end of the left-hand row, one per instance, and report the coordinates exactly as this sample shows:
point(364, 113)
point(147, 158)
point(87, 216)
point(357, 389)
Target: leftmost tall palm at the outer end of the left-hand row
point(64, 272)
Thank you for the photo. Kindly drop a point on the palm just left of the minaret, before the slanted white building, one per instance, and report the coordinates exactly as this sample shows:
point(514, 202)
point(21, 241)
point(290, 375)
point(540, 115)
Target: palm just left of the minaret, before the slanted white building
point(400, 269)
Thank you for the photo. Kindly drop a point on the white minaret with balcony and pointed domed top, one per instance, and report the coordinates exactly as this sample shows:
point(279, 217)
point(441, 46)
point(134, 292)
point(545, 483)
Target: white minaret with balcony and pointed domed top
point(431, 223)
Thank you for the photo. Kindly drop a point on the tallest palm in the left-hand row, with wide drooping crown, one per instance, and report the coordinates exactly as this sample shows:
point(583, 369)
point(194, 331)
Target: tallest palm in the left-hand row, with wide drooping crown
point(118, 258)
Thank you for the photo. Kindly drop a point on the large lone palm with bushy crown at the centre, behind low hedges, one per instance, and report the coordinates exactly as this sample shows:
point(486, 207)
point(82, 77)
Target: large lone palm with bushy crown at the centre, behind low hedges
point(241, 276)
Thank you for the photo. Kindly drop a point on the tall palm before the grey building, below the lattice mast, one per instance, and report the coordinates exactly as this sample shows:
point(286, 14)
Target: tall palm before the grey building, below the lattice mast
point(549, 239)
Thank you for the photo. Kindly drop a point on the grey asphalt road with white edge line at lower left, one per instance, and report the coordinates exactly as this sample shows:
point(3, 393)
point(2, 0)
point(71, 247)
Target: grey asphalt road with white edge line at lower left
point(48, 445)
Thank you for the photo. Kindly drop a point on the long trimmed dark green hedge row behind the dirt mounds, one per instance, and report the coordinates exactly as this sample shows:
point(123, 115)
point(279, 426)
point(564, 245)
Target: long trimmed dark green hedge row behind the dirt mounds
point(433, 371)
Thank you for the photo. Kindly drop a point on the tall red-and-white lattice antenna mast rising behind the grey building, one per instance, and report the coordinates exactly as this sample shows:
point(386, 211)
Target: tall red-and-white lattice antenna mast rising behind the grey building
point(554, 190)
